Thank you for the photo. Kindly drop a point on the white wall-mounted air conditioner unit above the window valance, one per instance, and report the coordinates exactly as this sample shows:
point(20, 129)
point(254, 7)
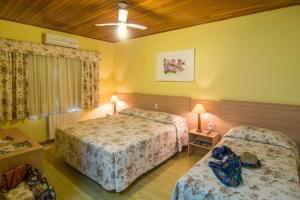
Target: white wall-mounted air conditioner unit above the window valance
point(60, 40)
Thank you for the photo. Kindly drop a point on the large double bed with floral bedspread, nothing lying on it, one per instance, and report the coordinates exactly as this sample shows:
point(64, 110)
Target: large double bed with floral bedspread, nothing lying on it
point(115, 150)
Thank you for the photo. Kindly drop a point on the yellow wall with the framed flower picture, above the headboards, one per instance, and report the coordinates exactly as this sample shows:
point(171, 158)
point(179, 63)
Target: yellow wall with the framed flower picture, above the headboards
point(253, 58)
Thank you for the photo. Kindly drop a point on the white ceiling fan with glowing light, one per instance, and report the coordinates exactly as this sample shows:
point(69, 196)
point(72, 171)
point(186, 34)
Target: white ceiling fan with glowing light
point(122, 24)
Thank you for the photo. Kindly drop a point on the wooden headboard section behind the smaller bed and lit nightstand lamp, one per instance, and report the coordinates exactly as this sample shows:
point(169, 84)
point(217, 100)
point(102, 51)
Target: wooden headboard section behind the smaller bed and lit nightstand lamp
point(227, 114)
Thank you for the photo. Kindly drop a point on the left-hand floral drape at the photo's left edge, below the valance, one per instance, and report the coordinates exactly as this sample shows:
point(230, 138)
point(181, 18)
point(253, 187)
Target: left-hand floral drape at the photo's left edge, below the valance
point(13, 85)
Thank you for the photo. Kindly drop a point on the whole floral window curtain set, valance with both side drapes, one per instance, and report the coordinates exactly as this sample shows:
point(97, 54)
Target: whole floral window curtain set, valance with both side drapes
point(14, 71)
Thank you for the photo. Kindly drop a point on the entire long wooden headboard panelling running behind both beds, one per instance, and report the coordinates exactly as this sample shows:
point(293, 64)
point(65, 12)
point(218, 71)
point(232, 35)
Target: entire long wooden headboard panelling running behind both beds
point(224, 114)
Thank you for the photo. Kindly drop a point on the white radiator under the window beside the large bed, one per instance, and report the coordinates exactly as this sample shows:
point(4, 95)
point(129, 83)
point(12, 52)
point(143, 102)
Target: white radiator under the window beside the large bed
point(57, 120)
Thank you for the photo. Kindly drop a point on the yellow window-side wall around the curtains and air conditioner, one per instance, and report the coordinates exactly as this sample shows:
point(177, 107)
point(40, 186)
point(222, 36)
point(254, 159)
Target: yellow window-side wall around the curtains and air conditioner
point(37, 128)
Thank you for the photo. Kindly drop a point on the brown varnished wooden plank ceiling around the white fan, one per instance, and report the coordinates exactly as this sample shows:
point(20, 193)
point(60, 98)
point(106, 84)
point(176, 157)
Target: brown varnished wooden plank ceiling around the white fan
point(79, 16)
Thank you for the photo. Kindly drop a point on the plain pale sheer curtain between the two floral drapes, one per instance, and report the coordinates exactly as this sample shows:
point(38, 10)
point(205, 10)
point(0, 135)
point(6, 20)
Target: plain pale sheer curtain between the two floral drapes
point(53, 84)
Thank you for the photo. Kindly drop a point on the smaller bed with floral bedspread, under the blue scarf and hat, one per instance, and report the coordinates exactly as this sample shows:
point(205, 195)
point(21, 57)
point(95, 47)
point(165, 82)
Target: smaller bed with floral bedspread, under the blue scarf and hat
point(276, 179)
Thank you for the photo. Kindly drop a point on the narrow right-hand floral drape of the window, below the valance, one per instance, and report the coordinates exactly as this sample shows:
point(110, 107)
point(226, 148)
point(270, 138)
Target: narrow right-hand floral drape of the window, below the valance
point(89, 84)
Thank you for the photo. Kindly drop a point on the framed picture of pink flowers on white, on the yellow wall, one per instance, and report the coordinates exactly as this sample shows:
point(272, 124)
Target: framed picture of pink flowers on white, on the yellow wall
point(176, 65)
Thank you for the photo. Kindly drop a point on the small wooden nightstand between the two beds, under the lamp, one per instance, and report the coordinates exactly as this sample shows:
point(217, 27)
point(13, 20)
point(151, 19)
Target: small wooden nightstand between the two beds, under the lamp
point(202, 141)
